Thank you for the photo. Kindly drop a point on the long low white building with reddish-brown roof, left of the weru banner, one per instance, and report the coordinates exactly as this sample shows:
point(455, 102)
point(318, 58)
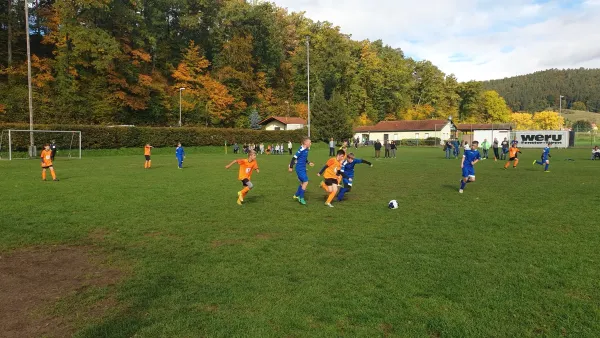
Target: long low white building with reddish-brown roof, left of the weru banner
point(400, 130)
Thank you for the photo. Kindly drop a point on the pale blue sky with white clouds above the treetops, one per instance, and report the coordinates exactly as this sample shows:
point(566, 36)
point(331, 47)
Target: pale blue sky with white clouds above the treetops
point(474, 39)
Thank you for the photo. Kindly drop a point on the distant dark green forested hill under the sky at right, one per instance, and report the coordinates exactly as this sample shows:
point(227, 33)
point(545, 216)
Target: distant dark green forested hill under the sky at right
point(541, 90)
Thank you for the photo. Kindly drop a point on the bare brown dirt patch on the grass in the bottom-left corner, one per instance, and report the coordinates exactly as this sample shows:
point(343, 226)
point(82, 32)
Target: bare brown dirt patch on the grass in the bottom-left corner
point(32, 280)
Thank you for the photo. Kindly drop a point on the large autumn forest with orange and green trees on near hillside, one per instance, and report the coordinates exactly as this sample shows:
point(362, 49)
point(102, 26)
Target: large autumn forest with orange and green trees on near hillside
point(124, 62)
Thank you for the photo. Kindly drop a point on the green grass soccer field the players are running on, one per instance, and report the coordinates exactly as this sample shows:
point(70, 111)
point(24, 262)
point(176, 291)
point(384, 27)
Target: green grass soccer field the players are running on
point(515, 255)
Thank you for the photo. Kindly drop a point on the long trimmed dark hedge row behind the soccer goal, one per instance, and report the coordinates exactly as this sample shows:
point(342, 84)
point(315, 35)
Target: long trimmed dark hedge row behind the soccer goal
point(103, 137)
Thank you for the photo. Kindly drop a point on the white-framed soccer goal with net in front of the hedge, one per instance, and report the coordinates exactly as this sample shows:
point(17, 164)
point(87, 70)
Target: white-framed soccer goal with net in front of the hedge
point(15, 144)
